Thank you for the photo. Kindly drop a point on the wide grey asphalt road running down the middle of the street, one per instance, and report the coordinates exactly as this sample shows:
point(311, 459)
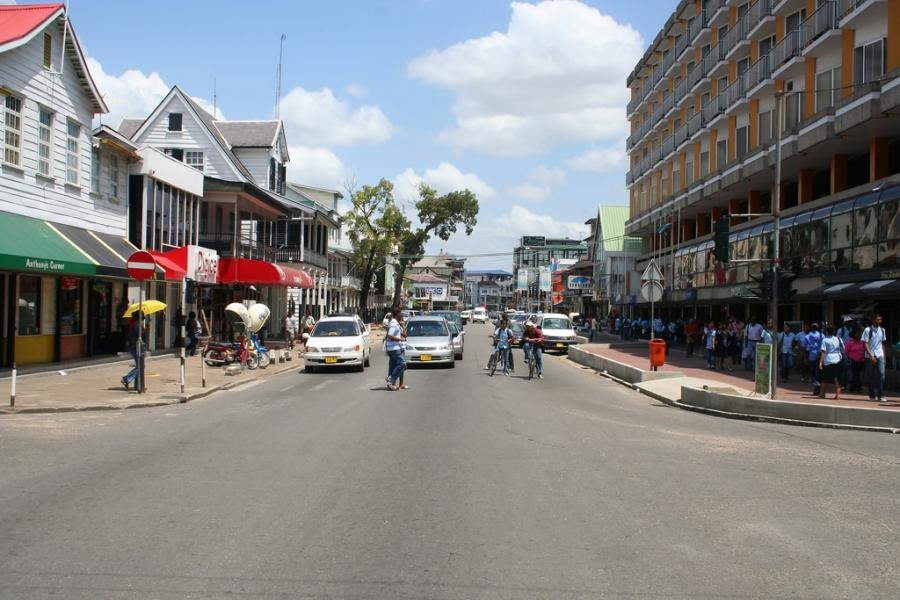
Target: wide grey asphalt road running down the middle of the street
point(329, 486)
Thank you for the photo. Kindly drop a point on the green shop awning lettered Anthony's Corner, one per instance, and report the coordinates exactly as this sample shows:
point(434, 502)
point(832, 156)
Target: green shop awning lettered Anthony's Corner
point(28, 244)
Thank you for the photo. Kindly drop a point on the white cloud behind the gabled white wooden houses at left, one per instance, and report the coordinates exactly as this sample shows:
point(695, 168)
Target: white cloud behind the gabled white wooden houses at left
point(133, 94)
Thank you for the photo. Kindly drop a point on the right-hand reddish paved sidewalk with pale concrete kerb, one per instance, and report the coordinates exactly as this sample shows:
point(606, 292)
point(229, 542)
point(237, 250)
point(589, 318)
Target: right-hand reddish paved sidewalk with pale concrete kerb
point(794, 400)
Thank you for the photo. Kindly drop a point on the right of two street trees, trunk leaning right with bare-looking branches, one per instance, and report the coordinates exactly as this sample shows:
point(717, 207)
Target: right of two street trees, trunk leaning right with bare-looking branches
point(439, 216)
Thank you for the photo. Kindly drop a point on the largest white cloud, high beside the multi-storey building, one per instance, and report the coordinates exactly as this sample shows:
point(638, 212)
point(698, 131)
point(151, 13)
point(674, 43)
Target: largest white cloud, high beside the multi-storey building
point(555, 76)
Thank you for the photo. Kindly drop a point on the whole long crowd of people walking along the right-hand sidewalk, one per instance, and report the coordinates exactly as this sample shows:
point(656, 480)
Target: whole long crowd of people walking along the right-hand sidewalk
point(849, 357)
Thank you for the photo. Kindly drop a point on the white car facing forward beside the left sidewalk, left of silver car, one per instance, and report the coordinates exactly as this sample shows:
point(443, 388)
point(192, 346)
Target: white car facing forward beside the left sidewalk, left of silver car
point(338, 342)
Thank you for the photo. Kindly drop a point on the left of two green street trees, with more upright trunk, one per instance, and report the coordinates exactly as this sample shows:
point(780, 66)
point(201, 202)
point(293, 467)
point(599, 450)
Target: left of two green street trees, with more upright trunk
point(374, 221)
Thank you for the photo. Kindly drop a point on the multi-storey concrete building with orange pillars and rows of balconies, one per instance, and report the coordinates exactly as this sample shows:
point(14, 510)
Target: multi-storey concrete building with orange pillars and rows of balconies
point(704, 111)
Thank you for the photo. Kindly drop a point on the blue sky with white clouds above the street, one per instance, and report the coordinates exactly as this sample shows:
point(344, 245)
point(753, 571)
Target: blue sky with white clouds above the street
point(523, 103)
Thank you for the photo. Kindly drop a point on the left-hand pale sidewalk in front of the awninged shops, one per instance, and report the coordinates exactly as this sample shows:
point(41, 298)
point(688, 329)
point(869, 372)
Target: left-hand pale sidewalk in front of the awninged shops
point(97, 385)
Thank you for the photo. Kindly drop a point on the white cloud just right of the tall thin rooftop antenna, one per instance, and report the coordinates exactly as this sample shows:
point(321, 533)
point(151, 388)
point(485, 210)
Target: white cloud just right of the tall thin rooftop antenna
point(318, 118)
